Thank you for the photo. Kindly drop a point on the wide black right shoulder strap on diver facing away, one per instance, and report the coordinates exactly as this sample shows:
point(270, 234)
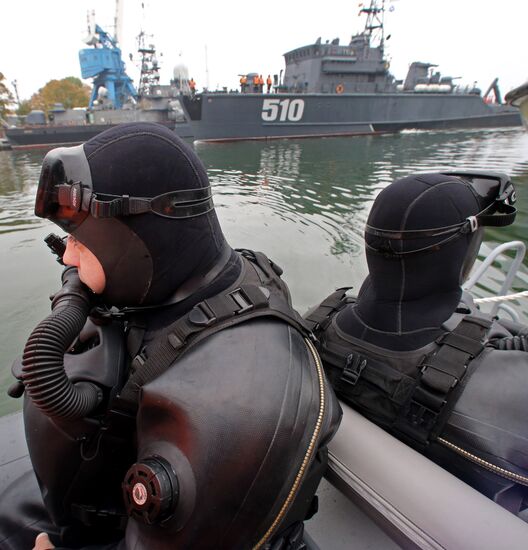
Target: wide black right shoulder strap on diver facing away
point(434, 396)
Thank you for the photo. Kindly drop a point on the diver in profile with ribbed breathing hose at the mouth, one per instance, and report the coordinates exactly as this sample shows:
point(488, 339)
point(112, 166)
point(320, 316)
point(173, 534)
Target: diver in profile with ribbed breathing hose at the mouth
point(191, 410)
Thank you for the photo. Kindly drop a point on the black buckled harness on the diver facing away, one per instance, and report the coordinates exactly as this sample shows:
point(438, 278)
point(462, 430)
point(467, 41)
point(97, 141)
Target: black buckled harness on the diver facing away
point(423, 399)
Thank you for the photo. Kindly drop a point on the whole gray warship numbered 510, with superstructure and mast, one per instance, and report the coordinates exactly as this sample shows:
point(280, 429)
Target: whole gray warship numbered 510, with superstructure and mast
point(331, 89)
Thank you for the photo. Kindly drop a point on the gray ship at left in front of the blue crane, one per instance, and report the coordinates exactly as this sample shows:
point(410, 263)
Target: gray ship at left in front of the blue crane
point(114, 99)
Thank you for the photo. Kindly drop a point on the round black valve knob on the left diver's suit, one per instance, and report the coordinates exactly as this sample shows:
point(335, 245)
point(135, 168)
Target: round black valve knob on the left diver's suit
point(151, 490)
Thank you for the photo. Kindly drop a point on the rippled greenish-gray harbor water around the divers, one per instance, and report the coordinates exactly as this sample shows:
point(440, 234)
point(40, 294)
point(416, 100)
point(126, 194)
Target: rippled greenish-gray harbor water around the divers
point(303, 202)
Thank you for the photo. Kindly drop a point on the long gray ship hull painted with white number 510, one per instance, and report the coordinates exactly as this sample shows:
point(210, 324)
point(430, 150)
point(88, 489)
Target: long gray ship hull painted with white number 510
point(232, 116)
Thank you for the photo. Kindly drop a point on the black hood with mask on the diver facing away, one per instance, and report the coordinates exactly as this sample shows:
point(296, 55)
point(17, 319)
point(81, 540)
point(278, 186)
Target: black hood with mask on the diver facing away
point(422, 237)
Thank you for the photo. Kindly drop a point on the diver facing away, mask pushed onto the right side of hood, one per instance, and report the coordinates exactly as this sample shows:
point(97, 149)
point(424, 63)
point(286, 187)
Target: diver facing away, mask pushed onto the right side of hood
point(414, 354)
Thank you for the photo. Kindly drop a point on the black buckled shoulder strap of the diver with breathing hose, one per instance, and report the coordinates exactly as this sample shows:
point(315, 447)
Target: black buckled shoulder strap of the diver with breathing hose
point(249, 300)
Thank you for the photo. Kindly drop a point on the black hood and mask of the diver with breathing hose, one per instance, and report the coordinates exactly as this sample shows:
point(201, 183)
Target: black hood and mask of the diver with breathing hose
point(148, 248)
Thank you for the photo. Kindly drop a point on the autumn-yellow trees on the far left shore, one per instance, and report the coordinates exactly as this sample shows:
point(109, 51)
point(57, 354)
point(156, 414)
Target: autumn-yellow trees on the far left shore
point(69, 91)
